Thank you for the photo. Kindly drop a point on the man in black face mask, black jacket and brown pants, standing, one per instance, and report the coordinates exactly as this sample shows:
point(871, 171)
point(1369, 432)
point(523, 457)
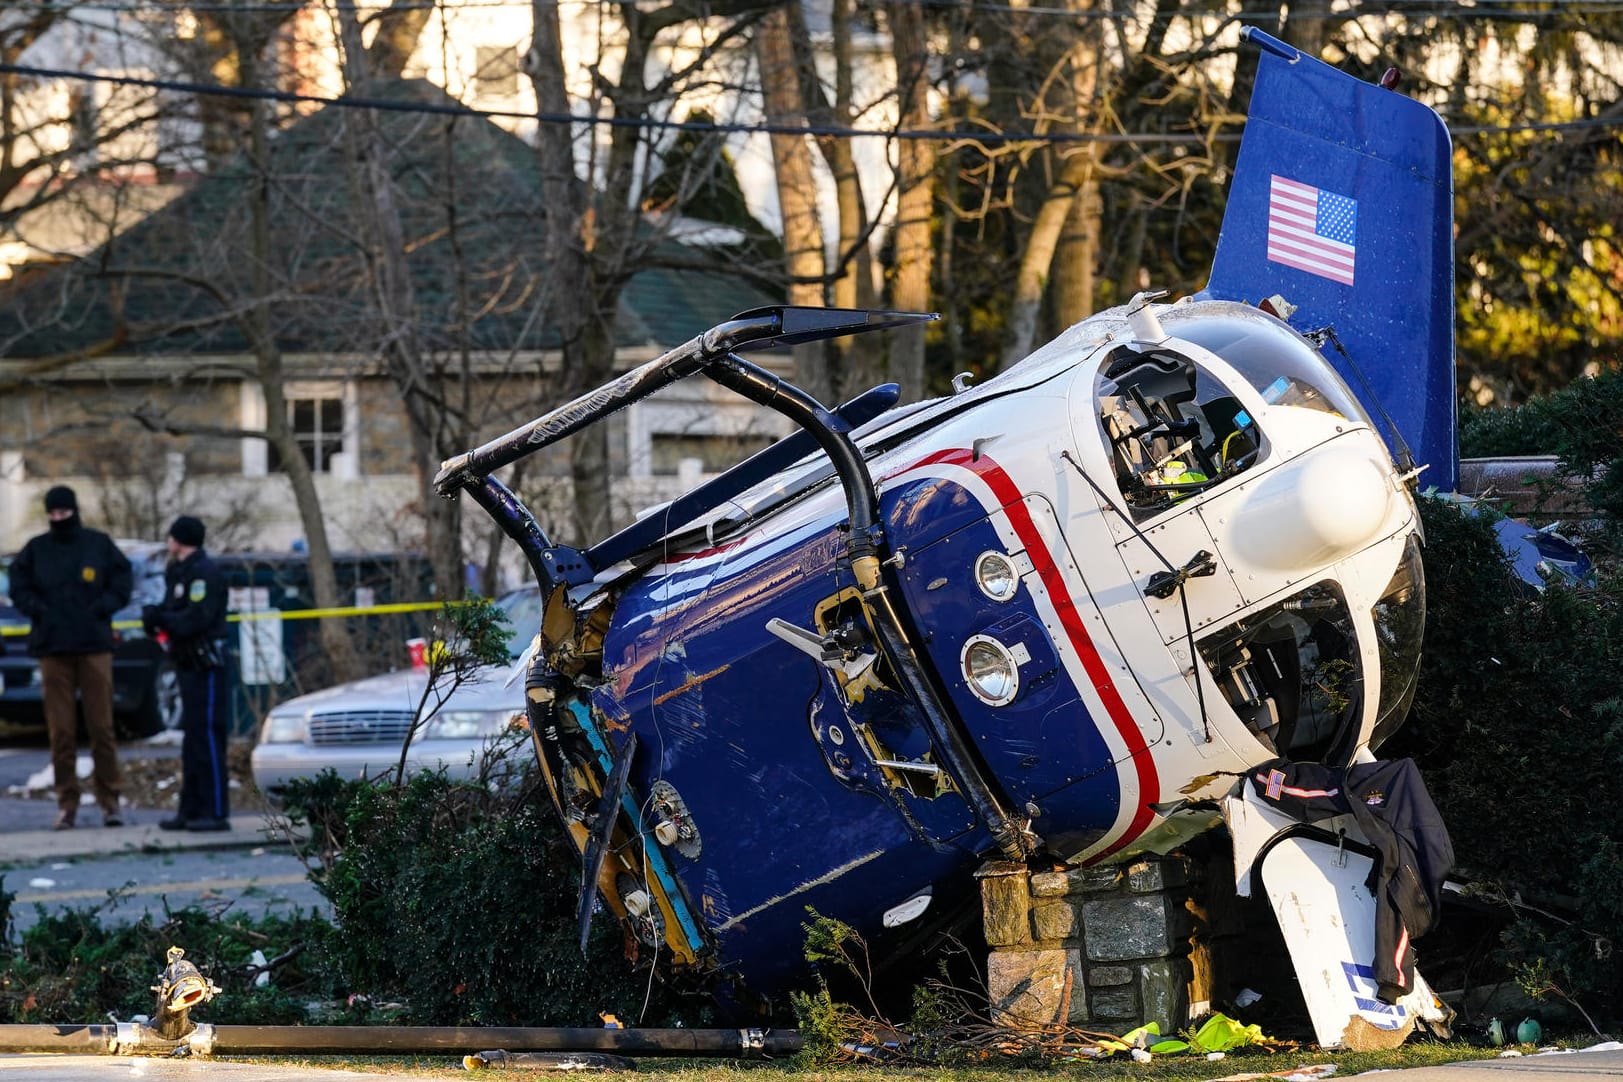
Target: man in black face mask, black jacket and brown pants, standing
point(69, 583)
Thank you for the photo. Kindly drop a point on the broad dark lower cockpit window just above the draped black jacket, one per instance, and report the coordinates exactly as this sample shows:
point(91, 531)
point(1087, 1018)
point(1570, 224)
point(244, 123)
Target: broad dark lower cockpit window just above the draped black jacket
point(1293, 676)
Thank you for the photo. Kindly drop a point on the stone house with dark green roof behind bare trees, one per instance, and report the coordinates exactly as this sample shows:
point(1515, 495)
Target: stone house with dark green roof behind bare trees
point(131, 374)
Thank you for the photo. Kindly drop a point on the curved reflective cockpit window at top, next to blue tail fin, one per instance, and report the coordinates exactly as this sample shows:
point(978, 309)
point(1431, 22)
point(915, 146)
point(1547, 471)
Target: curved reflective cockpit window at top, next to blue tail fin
point(1273, 359)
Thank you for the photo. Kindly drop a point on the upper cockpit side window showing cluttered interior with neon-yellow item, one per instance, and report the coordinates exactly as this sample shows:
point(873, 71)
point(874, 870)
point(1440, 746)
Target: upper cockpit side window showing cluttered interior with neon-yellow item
point(1173, 429)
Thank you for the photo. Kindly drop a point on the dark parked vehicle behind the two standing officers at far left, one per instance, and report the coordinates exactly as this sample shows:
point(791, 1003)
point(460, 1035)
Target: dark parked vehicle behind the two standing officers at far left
point(145, 697)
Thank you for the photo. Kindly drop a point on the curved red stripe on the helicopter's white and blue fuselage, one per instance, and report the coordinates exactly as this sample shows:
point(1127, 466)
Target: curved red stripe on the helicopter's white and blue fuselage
point(1012, 499)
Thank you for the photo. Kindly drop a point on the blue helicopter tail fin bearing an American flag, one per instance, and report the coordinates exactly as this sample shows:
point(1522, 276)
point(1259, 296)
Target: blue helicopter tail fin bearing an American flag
point(1343, 205)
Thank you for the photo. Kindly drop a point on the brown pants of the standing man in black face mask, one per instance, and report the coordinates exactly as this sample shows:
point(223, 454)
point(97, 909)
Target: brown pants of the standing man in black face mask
point(92, 677)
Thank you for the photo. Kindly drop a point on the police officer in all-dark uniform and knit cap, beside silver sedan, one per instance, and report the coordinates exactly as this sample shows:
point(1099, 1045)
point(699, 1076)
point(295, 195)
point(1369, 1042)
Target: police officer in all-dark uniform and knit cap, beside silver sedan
point(194, 617)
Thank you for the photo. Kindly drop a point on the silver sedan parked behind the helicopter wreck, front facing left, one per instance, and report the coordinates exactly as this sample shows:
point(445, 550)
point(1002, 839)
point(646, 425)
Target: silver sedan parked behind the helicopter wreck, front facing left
point(358, 729)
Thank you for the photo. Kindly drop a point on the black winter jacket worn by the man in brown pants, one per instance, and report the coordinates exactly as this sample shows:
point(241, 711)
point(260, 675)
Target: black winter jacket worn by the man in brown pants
point(69, 588)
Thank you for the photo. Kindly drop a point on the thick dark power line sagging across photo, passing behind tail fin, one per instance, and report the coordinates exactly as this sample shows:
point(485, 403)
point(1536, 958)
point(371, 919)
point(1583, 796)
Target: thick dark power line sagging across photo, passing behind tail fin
point(653, 124)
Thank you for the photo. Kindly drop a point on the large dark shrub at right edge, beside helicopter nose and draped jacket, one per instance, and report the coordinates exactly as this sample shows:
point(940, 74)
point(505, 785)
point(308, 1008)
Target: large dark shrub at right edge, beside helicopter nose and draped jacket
point(1518, 724)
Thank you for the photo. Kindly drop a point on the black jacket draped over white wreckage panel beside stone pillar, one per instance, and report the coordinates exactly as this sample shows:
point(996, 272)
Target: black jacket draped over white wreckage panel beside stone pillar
point(1393, 809)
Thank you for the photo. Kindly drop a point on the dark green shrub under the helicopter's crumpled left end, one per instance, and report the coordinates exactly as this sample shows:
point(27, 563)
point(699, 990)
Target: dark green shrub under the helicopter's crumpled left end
point(458, 900)
